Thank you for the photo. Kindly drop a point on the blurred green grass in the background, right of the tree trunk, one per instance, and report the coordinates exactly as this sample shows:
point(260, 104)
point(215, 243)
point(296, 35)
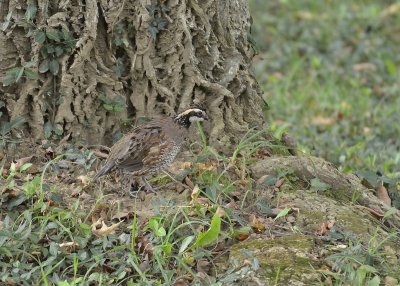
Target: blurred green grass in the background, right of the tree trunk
point(309, 67)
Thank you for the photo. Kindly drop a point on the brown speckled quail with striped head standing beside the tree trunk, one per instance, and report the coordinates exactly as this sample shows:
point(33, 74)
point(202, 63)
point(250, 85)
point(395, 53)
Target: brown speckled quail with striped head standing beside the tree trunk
point(152, 147)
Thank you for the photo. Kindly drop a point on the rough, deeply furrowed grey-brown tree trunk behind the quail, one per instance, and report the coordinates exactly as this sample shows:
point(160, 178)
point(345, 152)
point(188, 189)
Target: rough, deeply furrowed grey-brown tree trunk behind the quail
point(169, 55)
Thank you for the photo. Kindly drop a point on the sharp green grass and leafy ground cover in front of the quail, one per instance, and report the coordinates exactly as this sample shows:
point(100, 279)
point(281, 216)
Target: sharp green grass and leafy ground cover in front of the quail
point(49, 238)
